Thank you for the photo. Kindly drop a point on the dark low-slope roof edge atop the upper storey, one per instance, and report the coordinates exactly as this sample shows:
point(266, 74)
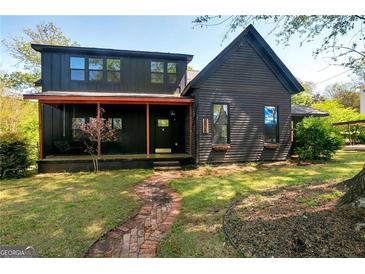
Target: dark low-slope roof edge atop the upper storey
point(111, 52)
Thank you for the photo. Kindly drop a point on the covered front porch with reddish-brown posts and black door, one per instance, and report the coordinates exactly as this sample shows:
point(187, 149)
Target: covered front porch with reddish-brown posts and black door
point(149, 128)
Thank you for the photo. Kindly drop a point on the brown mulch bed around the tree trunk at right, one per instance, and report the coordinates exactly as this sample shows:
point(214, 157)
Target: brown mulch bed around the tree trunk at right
point(297, 221)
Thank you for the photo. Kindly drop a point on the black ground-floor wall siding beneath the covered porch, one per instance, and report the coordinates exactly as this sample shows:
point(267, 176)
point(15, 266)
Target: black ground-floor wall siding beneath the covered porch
point(131, 139)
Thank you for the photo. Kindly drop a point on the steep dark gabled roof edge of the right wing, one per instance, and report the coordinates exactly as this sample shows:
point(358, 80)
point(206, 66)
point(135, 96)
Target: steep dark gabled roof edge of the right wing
point(250, 35)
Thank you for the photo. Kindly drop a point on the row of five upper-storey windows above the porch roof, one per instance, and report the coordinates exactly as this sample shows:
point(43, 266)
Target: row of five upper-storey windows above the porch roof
point(113, 65)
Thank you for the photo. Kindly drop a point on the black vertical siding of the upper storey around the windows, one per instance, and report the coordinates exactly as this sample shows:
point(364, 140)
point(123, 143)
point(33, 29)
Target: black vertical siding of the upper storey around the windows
point(135, 75)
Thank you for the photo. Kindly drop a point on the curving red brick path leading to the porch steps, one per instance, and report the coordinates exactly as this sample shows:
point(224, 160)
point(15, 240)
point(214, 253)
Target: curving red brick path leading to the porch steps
point(140, 236)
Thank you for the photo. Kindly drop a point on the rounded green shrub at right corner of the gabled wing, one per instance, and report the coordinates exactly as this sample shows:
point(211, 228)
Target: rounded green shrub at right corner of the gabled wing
point(316, 139)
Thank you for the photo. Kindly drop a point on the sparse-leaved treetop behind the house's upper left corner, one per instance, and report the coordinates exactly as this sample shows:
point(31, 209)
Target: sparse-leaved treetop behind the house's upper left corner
point(19, 48)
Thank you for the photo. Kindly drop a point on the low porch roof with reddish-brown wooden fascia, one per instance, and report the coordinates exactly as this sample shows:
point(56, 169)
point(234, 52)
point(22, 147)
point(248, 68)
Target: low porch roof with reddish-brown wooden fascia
point(108, 98)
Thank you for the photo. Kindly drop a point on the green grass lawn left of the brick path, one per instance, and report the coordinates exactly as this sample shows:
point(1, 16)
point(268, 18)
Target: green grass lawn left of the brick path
point(61, 215)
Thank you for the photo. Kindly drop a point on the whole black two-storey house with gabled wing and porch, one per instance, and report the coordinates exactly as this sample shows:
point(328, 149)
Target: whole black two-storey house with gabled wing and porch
point(238, 108)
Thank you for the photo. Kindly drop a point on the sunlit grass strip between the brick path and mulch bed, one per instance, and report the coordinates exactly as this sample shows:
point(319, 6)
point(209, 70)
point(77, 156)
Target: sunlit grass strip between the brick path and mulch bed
point(198, 230)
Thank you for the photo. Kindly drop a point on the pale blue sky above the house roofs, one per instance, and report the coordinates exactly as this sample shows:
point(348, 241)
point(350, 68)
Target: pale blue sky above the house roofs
point(168, 34)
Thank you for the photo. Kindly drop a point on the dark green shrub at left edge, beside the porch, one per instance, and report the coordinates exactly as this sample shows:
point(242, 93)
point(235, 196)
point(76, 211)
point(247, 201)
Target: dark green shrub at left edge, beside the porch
point(14, 155)
